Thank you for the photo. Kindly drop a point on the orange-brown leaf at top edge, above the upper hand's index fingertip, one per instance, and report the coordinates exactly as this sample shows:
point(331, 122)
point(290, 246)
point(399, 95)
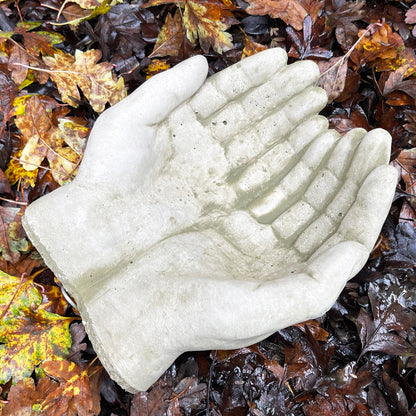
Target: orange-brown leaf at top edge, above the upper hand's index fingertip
point(290, 11)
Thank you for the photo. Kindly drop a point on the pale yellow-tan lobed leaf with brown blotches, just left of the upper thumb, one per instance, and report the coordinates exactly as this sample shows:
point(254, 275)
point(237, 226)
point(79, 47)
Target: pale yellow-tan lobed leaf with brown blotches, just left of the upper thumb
point(83, 71)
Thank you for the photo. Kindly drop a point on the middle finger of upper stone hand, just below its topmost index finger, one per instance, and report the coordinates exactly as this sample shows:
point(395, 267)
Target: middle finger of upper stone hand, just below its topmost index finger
point(267, 99)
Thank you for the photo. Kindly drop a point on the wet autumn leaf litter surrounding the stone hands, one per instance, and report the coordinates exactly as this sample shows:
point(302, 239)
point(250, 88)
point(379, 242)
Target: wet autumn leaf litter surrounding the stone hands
point(359, 358)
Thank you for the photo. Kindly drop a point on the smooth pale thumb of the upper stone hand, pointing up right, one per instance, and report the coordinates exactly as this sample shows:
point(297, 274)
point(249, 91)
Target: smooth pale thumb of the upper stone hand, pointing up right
point(162, 93)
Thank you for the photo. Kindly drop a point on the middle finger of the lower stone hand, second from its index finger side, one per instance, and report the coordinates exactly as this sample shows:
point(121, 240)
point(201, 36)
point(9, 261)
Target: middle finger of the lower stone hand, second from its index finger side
point(372, 152)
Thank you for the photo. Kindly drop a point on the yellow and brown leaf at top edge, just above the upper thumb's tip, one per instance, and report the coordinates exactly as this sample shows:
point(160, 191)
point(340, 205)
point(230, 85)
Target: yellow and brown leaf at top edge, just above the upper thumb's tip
point(205, 21)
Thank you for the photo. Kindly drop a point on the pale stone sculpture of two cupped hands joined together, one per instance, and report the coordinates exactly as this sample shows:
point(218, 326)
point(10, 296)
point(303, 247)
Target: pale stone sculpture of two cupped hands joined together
point(208, 214)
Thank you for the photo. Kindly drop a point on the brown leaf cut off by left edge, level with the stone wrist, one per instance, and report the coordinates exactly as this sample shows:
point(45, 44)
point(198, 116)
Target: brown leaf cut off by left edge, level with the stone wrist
point(12, 236)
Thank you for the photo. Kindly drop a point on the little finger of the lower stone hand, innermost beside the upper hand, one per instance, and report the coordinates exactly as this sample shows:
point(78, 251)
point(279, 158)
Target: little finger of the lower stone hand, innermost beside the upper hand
point(289, 189)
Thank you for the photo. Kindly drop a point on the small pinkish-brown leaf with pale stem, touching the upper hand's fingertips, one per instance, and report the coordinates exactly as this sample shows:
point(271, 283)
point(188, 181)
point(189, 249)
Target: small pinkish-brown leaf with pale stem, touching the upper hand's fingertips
point(333, 76)
